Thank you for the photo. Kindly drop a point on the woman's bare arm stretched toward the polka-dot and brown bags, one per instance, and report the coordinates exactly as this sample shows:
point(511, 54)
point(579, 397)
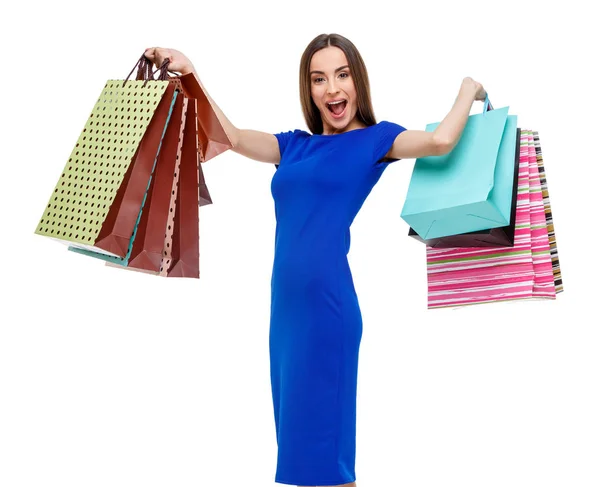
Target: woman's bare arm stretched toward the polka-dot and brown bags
point(256, 145)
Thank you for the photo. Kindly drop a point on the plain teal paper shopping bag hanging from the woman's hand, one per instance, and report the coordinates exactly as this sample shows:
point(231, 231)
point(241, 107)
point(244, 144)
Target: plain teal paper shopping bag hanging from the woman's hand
point(470, 188)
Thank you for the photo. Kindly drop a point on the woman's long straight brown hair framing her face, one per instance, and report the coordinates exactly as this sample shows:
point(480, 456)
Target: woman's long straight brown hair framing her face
point(358, 71)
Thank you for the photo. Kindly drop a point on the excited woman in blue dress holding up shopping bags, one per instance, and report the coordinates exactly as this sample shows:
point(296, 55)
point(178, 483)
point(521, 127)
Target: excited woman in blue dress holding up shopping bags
point(321, 182)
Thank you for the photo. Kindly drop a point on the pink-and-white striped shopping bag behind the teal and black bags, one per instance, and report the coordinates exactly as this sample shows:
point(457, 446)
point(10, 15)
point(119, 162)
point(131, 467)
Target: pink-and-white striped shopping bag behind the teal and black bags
point(475, 275)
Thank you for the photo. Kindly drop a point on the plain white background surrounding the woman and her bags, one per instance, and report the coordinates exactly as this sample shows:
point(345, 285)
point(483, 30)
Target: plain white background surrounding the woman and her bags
point(110, 377)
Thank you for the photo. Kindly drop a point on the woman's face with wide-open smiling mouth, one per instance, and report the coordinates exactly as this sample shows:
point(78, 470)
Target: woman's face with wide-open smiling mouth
point(330, 81)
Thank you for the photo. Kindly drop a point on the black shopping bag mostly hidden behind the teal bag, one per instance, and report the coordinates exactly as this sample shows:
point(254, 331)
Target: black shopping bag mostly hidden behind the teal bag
point(492, 237)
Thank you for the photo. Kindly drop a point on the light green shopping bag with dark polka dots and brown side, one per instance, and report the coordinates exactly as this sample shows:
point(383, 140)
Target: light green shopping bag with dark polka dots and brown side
point(98, 196)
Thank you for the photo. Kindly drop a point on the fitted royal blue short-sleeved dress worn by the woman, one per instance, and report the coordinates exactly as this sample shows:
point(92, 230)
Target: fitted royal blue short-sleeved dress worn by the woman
point(318, 188)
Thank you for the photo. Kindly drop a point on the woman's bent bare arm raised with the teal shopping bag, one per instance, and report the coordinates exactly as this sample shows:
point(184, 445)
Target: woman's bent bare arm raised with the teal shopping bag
point(419, 143)
